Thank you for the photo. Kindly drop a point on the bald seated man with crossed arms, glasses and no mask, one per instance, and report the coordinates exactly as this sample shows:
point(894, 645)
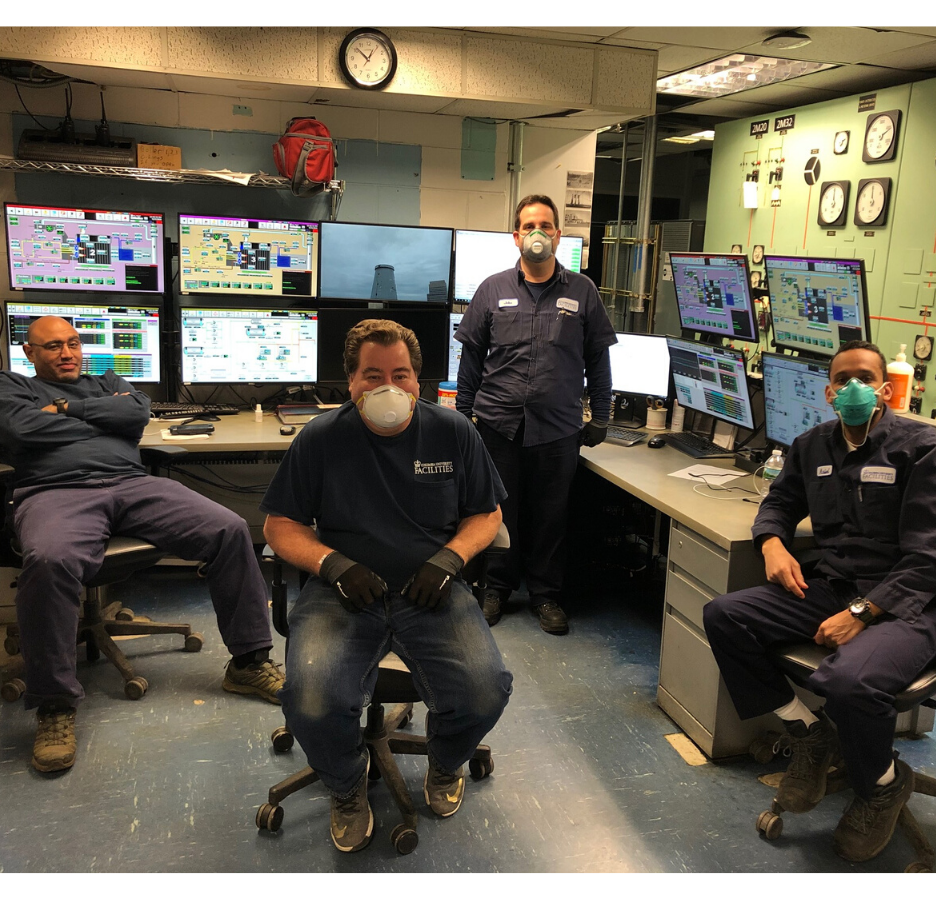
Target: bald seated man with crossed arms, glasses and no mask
point(73, 441)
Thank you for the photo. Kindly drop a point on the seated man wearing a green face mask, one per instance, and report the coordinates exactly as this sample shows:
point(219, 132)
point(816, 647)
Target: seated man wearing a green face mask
point(868, 486)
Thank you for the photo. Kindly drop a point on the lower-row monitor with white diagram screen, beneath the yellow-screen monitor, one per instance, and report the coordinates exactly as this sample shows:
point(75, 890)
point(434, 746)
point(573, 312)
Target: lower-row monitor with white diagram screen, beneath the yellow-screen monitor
point(249, 346)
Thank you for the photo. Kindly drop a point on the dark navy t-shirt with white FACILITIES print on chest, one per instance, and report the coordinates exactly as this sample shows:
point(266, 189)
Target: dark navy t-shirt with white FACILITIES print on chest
point(387, 503)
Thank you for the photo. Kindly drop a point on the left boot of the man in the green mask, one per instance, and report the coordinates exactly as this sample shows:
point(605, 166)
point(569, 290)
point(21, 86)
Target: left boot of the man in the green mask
point(814, 751)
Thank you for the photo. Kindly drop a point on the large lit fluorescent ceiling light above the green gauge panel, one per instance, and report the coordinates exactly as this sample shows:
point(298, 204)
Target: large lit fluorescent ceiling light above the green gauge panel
point(736, 73)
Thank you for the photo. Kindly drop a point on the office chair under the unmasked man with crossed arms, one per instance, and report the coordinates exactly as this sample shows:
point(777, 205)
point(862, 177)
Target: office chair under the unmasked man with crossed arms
point(100, 622)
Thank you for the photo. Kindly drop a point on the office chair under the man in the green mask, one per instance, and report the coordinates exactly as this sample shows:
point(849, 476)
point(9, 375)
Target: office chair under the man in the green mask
point(799, 662)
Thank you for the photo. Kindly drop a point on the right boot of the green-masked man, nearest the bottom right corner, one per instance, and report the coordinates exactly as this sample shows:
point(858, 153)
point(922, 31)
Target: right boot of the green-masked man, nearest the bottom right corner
point(868, 825)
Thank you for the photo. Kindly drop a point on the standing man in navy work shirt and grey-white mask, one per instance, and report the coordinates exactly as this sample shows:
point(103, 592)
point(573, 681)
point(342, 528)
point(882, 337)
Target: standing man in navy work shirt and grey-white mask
point(532, 336)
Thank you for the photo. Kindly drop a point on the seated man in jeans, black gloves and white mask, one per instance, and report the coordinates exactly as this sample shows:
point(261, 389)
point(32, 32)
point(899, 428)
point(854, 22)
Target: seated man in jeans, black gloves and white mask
point(385, 501)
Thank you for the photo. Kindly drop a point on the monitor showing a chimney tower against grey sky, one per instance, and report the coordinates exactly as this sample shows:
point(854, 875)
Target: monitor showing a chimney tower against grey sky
point(386, 263)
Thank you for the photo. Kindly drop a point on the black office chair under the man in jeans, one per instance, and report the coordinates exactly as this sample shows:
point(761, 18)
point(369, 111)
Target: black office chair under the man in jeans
point(383, 731)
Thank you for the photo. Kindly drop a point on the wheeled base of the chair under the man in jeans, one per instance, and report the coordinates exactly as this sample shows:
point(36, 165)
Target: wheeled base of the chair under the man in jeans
point(383, 738)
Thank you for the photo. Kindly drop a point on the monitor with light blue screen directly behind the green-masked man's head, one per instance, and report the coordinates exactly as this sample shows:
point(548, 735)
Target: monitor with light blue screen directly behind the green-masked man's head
point(794, 397)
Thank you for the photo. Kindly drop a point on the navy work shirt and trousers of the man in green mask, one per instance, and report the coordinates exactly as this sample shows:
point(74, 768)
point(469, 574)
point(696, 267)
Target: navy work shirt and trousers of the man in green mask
point(874, 520)
